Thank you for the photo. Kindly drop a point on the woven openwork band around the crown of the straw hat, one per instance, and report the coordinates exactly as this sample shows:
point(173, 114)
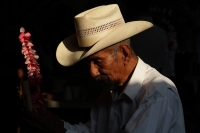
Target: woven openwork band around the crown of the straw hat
point(101, 28)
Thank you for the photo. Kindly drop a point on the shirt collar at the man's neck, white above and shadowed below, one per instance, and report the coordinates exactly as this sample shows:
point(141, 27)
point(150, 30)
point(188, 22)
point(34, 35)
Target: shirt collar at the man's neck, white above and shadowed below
point(135, 83)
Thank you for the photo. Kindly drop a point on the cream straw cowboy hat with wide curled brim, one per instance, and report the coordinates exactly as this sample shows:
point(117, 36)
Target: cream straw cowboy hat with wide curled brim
point(96, 29)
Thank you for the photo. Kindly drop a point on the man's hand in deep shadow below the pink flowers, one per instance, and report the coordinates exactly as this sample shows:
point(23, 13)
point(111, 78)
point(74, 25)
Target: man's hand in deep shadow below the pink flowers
point(42, 122)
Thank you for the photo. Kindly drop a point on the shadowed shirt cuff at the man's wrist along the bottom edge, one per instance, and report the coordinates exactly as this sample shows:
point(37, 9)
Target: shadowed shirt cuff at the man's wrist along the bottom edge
point(76, 128)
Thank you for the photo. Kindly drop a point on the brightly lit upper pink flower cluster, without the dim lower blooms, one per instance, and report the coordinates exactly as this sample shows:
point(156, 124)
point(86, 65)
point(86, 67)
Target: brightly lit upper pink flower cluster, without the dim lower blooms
point(34, 75)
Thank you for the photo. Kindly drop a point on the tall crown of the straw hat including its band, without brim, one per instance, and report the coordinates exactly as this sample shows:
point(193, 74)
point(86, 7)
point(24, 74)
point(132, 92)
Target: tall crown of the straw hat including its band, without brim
point(93, 24)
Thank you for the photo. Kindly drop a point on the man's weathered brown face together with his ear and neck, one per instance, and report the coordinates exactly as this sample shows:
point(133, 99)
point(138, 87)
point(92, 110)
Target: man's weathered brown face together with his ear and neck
point(108, 71)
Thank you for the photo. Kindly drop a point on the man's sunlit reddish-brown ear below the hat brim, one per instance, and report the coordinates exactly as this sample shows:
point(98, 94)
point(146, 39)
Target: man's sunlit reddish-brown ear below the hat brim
point(126, 52)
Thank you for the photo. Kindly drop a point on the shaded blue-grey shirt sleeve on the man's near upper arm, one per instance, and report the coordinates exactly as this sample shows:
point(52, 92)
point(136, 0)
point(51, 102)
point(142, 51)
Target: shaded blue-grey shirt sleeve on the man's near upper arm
point(158, 114)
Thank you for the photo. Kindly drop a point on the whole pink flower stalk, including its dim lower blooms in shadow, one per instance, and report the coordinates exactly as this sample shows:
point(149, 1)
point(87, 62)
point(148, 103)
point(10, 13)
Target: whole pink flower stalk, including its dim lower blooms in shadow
point(34, 76)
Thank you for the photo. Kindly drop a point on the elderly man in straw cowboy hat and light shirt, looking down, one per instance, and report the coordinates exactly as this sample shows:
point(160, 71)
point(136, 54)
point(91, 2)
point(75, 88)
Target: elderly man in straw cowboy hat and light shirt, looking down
point(136, 97)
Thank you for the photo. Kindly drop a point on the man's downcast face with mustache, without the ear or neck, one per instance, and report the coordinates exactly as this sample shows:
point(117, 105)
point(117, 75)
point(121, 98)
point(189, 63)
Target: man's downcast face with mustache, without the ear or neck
point(105, 69)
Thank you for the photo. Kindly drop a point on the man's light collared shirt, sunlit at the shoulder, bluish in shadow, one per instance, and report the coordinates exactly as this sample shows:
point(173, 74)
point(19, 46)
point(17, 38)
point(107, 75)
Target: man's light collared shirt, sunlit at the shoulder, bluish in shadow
point(150, 103)
